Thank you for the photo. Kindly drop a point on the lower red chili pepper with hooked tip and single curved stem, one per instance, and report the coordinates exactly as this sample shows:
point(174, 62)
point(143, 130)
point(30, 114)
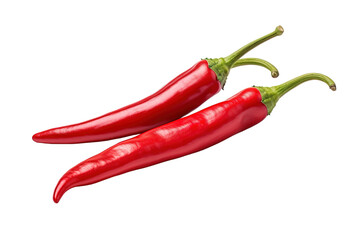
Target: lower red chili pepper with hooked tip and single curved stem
point(183, 136)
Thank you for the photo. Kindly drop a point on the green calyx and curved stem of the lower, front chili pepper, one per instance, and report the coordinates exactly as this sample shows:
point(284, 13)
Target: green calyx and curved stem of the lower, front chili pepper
point(270, 95)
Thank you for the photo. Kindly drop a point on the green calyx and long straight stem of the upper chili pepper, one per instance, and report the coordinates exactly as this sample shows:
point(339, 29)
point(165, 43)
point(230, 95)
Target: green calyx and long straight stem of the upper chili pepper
point(222, 66)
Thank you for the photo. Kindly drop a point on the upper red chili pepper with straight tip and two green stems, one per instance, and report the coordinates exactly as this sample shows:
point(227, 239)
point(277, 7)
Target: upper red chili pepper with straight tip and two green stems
point(179, 97)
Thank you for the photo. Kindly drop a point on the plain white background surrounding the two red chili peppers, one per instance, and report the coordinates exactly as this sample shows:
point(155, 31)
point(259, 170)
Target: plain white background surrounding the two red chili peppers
point(296, 175)
